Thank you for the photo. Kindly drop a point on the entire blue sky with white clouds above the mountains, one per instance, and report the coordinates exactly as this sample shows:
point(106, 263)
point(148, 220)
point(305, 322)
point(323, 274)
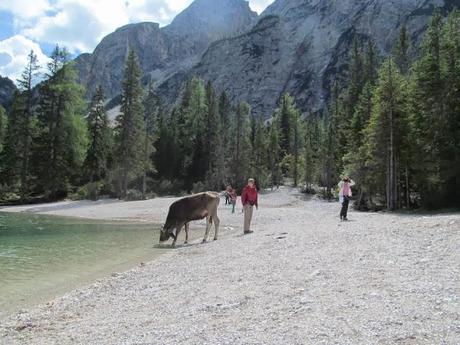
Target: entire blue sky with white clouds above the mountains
point(79, 25)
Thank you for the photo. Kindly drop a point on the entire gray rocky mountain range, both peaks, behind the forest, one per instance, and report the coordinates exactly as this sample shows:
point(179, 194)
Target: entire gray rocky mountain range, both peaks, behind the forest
point(295, 46)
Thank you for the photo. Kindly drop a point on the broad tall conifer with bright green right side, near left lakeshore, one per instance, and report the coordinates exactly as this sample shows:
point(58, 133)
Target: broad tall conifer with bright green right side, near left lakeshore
point(62, 142)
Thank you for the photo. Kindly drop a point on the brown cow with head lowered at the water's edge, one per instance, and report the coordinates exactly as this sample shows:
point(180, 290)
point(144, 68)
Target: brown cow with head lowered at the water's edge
point(185, 210)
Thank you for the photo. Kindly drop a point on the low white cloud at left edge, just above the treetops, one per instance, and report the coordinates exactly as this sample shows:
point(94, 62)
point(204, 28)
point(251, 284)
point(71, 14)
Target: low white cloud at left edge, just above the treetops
point(14, 52)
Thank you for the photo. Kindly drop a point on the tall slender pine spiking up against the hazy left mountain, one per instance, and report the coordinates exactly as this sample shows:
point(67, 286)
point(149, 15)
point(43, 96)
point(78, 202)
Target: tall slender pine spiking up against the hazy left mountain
point(130, 129)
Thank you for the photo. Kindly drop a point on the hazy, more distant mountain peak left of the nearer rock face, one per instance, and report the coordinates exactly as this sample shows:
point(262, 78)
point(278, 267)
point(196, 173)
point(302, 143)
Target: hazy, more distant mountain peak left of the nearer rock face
point(163, 52)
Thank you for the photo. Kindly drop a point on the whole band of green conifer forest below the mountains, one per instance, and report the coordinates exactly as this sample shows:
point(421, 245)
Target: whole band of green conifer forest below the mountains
point(393, 125)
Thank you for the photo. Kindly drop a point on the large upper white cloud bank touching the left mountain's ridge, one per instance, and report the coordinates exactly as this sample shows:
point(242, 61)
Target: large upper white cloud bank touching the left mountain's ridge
point(81, 24)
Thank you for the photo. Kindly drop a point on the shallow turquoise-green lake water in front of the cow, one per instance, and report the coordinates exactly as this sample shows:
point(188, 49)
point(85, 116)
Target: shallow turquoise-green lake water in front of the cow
point(44, 256)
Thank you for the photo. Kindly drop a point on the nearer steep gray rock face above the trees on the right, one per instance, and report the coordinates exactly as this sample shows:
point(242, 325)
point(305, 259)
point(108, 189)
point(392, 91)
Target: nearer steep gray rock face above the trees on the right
point(299, 46)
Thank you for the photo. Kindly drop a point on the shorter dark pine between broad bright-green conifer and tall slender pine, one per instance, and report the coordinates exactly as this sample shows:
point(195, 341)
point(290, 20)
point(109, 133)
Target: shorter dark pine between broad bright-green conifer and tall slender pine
point(100, 137)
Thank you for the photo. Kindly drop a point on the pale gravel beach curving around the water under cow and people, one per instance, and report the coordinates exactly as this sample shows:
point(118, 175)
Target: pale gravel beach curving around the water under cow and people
point(302, 277)
